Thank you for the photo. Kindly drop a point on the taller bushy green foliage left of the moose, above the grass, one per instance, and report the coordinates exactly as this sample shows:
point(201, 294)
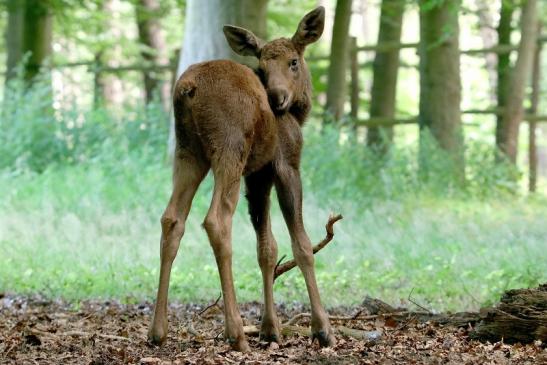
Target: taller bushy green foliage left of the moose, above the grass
point(35, 136)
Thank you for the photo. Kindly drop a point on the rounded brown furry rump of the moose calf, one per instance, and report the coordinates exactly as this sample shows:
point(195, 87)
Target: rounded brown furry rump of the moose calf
point(246, 135)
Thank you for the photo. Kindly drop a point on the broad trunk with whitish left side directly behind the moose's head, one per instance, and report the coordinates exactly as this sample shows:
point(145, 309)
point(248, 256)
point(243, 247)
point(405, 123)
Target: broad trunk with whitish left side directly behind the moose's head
point(204, 39)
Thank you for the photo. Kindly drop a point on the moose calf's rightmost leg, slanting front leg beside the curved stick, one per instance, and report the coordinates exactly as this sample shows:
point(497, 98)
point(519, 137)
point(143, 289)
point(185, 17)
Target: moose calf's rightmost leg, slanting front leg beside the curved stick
point(289, 192)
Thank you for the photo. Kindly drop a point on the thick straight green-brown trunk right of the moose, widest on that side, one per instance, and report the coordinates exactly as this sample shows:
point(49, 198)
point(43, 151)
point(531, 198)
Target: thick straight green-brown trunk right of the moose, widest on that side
point(440, 85)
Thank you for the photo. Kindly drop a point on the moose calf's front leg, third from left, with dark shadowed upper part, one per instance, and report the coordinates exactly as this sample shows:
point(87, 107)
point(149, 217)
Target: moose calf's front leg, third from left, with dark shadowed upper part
point(259, 185)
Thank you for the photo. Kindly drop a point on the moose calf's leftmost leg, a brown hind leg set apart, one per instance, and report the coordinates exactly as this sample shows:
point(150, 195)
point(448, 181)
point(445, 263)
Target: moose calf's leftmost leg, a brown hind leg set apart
point(187, 175)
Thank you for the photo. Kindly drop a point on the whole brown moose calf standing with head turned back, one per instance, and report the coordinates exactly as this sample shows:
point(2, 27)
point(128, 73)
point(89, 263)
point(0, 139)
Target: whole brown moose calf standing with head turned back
point(236, 123)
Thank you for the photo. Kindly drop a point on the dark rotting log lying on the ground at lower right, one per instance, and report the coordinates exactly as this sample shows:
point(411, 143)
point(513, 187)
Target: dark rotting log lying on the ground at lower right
point(521, 316)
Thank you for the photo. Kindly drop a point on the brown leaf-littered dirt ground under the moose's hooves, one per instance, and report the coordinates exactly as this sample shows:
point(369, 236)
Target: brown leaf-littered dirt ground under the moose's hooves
point(37, 331)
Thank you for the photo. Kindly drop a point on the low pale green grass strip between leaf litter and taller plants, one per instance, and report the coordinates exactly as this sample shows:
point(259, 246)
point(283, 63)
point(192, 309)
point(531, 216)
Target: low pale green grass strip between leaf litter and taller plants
point(92, 230)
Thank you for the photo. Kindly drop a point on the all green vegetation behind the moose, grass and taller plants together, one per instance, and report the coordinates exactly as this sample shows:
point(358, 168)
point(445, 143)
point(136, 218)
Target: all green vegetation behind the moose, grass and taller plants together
point(82, 191)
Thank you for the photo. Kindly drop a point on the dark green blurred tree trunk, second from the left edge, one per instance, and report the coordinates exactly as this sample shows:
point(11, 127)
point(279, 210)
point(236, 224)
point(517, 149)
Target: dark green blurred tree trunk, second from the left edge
point(37, 35)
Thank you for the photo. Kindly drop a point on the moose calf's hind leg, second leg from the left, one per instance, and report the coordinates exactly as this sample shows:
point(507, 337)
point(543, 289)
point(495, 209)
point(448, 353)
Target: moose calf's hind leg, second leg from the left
point(218, 224)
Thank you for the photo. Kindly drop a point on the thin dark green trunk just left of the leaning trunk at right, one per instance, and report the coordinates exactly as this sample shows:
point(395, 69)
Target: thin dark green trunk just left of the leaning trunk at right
point(504, 64)
